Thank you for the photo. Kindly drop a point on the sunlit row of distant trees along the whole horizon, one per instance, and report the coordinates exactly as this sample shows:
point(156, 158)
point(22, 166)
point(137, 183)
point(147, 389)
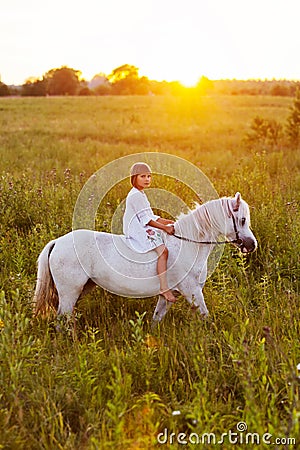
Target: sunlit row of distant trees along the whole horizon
point(125, 80)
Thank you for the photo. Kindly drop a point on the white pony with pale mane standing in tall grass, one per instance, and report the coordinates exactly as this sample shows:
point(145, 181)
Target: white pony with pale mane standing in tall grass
point(69, 266)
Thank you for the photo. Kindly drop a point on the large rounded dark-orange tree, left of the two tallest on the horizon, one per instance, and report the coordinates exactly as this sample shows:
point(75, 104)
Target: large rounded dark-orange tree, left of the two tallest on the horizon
point(63, 81)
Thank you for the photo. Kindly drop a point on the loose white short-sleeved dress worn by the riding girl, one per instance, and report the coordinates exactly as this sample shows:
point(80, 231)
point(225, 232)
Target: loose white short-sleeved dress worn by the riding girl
point(138, 213)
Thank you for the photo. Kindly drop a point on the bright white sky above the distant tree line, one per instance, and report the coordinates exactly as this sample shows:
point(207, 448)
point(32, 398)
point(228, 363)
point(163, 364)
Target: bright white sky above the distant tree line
point(166, 39)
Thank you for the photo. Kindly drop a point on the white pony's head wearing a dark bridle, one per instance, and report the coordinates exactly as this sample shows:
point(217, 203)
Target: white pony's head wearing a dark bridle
point(238, 223)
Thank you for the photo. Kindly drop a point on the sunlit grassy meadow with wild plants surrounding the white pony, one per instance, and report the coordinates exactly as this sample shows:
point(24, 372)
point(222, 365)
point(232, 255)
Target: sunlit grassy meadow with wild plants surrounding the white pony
point(109, 381)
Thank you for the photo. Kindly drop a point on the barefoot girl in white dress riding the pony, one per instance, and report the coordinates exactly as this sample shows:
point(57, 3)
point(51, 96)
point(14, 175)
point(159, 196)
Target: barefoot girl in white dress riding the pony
point(141, 225)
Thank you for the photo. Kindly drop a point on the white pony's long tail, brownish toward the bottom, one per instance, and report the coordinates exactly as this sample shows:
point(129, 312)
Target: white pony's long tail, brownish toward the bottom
point(45, 296)
